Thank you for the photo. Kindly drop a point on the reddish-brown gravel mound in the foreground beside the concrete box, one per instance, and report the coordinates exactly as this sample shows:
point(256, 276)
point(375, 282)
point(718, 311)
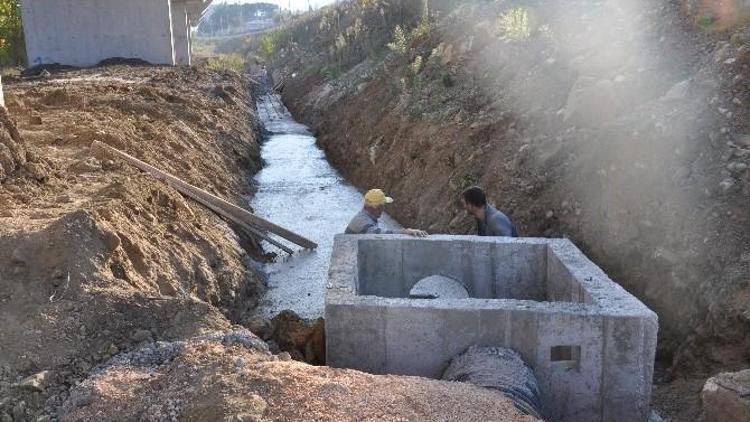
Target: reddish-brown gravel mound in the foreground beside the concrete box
point(232, 377)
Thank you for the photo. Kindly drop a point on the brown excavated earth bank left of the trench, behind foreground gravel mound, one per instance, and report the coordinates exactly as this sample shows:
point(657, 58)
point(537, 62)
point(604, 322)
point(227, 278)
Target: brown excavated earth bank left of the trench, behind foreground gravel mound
point(96, 257)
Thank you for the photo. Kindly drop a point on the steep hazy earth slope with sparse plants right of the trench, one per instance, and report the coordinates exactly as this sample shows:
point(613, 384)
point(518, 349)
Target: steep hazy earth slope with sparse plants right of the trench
point(621, 125)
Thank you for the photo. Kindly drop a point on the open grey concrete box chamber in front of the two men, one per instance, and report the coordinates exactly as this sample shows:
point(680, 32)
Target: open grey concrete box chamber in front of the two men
point(591, 344)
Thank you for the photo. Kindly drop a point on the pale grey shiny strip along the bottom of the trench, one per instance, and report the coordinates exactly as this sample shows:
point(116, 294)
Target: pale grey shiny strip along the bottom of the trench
point(299, 190)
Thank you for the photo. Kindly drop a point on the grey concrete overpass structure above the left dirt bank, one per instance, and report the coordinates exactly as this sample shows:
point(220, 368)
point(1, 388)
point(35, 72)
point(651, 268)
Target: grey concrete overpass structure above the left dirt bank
point(85, 32)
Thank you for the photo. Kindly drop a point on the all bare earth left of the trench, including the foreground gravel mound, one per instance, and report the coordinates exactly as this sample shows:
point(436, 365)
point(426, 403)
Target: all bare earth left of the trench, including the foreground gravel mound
point(98, 261)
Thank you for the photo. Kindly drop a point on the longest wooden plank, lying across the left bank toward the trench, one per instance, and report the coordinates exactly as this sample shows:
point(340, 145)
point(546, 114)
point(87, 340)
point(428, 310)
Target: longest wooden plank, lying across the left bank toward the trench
point(211, 201)
